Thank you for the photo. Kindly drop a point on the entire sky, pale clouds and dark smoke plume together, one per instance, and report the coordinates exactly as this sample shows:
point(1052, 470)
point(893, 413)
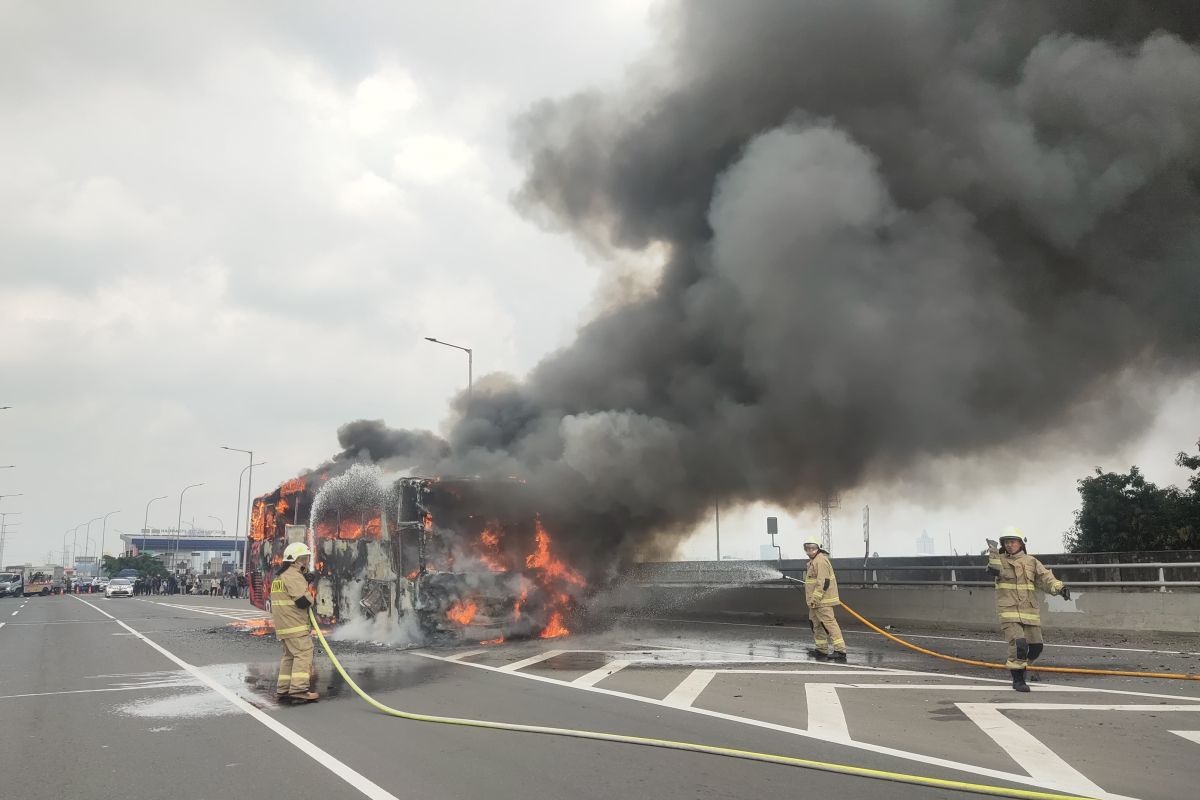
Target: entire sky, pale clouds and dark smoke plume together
point(939, 257)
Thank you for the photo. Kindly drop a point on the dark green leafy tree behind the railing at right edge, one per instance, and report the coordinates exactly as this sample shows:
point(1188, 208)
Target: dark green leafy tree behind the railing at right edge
point(1127, 513)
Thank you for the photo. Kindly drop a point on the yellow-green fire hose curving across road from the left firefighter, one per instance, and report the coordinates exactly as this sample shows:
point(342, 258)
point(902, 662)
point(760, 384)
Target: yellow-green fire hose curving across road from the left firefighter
point(770, 759)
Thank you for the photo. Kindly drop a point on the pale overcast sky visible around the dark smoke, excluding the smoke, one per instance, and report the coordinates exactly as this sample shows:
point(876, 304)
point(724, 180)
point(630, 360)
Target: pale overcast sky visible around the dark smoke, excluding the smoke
point(233, 225)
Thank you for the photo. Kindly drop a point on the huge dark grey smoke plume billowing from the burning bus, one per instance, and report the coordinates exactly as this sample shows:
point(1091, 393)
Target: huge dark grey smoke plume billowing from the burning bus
point(895, 231)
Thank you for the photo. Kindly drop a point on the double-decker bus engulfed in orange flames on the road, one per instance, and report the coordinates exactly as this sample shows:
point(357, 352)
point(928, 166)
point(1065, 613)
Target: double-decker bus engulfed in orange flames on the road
point(464, 560)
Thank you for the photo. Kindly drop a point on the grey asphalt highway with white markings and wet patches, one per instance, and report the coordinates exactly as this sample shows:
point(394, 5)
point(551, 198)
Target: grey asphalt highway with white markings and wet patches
point(92, 709)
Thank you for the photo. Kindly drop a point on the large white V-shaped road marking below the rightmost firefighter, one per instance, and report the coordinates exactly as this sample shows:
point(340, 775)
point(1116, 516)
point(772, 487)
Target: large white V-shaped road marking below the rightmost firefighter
point(1027, 750)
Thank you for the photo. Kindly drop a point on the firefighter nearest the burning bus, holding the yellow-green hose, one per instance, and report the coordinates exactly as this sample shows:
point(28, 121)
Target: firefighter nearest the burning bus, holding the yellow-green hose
point(291, 600)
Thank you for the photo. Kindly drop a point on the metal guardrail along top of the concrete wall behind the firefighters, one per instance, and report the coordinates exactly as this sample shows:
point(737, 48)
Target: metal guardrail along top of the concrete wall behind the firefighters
point(849, 578)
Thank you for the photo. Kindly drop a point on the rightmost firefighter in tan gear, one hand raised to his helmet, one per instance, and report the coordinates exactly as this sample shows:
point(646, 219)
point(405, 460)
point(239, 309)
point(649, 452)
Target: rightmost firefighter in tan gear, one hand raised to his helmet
point(1018, 579)
